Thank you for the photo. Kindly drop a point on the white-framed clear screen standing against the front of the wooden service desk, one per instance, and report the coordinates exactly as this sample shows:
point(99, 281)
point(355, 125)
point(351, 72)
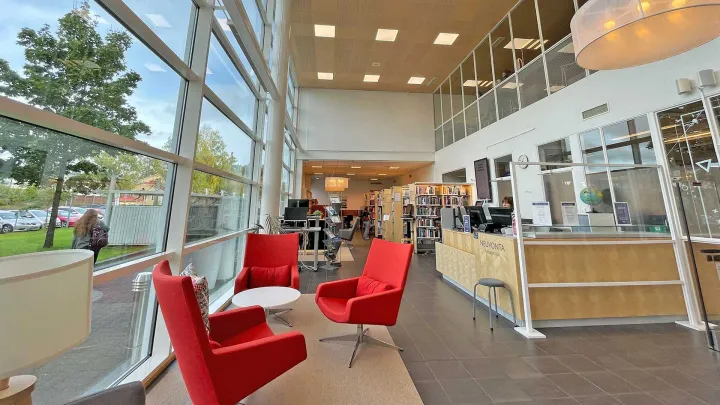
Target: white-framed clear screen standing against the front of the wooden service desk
point(628, 256)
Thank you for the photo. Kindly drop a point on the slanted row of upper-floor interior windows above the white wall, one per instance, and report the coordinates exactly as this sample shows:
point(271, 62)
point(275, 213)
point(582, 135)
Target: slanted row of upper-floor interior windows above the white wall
point(509, 75)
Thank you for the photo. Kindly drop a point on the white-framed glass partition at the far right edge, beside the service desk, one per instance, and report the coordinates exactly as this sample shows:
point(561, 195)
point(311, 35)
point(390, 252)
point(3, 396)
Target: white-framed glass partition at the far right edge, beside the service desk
point(691, 156)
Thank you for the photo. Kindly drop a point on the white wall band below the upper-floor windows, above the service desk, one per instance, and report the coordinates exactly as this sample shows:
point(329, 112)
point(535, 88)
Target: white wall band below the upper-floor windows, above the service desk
point(628, 92)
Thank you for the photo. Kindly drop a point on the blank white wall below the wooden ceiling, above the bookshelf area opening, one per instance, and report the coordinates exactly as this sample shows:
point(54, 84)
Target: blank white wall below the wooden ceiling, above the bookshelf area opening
point(366, 125)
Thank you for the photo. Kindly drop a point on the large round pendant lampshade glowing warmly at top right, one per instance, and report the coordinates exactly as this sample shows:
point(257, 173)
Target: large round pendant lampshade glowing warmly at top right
point(615, 34)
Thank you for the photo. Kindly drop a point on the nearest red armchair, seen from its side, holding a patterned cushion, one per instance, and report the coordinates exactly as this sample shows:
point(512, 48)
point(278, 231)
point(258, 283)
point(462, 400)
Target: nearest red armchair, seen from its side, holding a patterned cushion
point(241, 354)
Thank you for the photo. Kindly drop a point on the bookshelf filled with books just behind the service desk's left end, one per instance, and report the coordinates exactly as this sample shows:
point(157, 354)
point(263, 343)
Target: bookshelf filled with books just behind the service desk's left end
point(428, 199)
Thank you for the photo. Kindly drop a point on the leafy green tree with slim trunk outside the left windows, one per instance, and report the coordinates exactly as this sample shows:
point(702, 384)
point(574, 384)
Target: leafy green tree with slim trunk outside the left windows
point(77, 73)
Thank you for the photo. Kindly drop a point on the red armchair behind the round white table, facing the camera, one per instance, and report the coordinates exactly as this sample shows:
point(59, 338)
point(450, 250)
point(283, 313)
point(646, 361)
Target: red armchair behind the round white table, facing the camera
point(276, 256)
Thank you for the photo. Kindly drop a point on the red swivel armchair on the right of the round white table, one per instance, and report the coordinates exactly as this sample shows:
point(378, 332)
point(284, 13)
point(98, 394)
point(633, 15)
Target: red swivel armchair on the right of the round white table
point(373, 298)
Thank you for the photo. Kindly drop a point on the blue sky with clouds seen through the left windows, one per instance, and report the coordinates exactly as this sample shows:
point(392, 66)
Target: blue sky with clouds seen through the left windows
point(157, 95)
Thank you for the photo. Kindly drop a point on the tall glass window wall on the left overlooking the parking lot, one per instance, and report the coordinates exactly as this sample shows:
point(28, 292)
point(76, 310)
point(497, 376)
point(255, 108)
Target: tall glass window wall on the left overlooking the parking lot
point(128, 93)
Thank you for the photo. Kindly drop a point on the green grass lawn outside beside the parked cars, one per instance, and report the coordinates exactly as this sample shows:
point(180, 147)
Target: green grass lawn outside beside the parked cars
point(17, 243)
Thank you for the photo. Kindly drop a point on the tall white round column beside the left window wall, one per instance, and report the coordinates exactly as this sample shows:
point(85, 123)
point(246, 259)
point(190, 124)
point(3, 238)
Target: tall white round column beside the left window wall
point(276, 132)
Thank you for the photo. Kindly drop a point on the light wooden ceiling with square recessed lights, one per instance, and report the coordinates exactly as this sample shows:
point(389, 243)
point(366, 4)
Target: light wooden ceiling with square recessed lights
point(351, 54)
